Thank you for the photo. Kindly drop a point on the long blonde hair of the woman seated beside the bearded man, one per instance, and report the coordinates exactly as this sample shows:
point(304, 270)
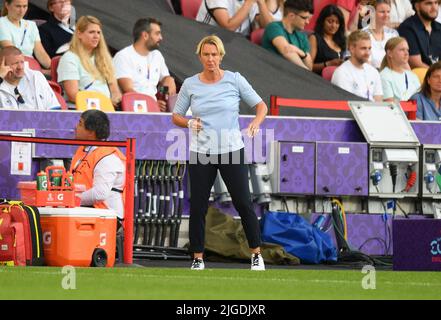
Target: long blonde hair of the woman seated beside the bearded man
point(103, 67)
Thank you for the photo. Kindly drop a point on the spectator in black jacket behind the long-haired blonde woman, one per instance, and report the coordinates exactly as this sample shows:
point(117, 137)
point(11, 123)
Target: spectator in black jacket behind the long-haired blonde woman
point(59, 28)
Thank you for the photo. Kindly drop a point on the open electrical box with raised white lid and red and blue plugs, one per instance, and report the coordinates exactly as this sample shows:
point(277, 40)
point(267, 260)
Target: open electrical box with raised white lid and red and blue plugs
point(393, 149)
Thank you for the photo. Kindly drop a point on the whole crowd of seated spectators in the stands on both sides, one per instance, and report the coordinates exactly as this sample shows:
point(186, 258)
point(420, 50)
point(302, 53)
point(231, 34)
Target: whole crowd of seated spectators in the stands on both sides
point(372, 48)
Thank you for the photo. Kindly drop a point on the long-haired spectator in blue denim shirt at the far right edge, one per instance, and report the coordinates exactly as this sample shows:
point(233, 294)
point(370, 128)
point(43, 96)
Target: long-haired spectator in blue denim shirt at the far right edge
point(429, 98)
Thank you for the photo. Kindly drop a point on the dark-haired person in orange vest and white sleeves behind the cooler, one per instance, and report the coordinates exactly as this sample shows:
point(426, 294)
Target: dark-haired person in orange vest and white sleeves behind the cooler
point(100, 169)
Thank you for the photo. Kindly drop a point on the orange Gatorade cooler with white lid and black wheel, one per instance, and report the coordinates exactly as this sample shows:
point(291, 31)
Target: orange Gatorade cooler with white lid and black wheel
point(80, 236)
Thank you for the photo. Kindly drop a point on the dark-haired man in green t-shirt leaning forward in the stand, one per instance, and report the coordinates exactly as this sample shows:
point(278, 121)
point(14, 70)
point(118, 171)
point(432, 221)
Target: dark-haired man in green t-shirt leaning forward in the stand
point(286, 38)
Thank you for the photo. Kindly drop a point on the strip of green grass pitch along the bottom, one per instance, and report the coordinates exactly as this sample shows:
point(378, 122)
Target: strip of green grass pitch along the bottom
point(210, 284)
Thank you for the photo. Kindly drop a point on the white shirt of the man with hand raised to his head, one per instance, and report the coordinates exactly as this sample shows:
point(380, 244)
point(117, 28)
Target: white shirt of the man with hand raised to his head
point(35, 91)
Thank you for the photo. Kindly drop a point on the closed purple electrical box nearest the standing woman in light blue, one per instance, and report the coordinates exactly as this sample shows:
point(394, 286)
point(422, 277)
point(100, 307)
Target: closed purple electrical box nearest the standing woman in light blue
point(291, 167)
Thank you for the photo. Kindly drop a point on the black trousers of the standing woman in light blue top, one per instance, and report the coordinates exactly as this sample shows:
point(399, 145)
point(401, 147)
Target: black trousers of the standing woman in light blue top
point(234, 172)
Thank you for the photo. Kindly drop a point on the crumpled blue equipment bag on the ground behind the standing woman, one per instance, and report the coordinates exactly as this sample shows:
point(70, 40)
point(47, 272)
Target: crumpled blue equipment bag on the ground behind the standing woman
point(298, 237)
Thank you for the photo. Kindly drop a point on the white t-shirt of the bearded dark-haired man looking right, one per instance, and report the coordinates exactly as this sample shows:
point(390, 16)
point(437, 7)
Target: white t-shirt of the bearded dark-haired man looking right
point(145, 71)
